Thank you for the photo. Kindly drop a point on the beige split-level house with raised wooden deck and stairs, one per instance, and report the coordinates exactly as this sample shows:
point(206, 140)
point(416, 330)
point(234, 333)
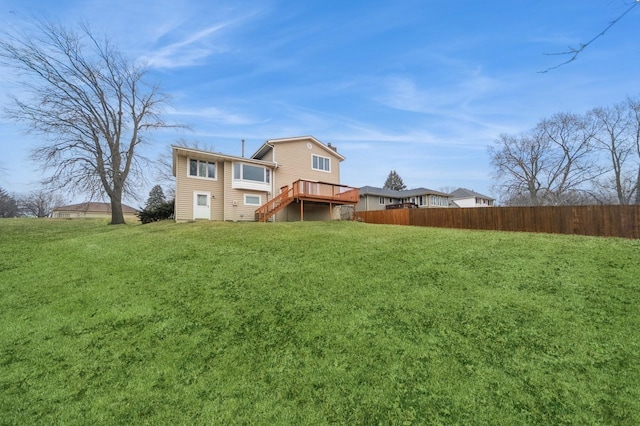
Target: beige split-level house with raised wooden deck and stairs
point(285, 180)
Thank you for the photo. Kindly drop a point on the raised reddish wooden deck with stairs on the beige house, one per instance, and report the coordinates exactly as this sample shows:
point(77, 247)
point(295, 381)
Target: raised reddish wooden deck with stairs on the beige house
point(304, 190)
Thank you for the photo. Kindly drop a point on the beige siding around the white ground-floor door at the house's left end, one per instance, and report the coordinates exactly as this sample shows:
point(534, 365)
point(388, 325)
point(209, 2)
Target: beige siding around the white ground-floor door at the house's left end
point(186, 185)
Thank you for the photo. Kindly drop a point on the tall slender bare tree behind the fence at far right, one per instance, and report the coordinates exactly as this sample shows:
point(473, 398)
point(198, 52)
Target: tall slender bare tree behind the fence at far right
point(613, 138)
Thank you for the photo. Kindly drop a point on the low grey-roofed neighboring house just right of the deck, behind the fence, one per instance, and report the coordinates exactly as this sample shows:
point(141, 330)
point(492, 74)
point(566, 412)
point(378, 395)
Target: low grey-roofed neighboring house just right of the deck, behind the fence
point(372, 198)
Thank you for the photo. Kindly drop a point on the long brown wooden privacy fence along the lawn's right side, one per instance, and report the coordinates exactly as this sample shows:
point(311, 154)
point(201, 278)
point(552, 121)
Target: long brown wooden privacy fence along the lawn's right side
point(604, 221)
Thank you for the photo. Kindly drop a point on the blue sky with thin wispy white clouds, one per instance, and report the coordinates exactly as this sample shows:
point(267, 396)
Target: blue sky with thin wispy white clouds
point(420, 87)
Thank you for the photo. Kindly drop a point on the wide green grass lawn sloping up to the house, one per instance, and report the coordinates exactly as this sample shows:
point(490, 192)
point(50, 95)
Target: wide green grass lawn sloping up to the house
point(315, 323)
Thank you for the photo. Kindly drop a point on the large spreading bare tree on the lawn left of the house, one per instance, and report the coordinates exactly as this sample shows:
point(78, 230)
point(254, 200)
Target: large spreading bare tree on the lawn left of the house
point(91, 104)
